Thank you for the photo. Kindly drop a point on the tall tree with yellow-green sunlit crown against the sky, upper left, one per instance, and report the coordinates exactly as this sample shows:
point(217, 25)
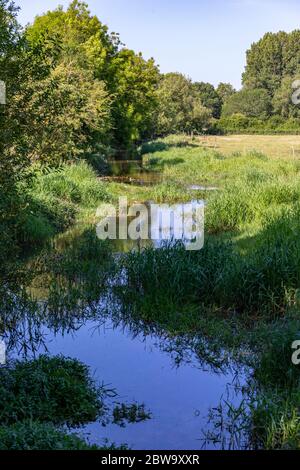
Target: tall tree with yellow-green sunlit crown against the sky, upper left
point(130, 80)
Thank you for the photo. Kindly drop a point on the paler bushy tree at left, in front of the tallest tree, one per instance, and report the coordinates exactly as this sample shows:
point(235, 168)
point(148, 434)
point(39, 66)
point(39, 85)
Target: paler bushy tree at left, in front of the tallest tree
point(63, 114)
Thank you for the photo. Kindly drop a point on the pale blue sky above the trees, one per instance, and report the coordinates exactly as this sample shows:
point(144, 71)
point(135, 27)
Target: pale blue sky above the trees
point(203, 39)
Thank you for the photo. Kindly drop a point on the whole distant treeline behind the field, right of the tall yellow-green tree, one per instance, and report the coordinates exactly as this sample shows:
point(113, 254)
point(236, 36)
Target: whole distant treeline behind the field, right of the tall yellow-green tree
point(263, 105)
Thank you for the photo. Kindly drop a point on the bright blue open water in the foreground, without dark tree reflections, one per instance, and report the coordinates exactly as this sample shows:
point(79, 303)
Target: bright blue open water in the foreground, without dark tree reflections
point(179, 395)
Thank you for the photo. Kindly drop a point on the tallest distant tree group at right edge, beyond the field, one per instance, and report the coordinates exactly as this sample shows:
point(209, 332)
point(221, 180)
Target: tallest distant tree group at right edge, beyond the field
point(265, 105)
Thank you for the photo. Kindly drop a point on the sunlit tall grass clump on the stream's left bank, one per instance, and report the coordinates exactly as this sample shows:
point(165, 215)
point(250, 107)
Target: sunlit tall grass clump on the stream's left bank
point(57, 199)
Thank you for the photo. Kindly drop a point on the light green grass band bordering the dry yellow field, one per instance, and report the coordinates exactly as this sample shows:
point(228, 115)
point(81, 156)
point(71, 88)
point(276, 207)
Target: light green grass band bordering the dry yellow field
point(199, 165)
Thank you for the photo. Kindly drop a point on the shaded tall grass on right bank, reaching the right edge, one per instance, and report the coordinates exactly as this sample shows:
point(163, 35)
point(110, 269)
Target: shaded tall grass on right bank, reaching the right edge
point(265, 281)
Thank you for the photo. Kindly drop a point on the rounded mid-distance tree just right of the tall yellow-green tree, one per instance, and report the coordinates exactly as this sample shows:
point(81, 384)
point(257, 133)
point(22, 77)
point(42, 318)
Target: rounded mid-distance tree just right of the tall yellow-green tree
point(179, 106)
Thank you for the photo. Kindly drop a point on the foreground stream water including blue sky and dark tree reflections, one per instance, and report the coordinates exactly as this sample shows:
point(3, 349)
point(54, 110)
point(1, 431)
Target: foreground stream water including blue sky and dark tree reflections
point(76, 313)
